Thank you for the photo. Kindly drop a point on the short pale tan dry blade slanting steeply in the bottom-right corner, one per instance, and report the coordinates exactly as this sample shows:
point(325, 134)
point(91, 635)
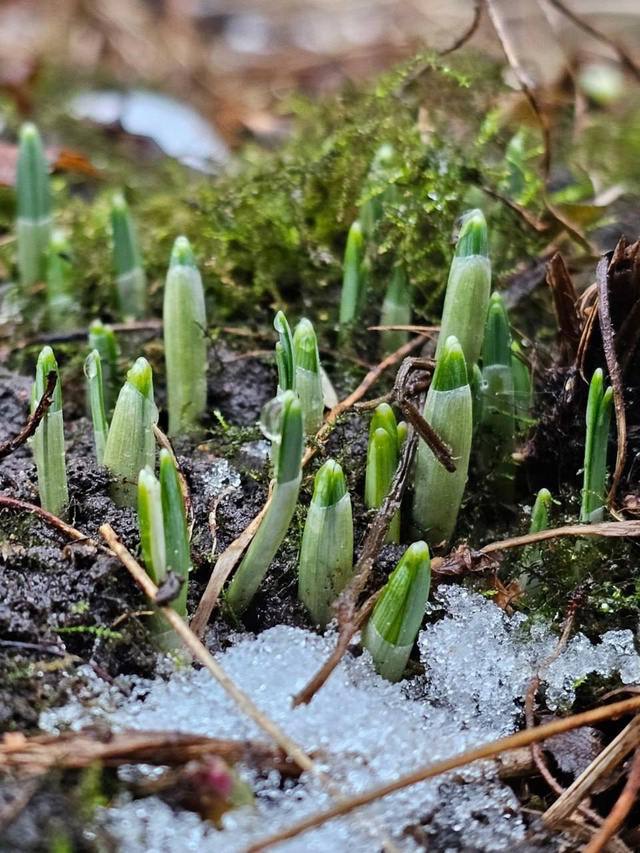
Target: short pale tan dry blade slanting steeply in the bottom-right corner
point(610, 757)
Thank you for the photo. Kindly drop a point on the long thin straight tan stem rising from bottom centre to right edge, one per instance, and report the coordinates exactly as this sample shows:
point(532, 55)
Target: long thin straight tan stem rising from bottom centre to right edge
point(489, 750)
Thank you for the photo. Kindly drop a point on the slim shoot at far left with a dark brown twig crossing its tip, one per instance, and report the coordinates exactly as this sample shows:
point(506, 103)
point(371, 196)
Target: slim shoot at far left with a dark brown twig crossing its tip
point(48, 440)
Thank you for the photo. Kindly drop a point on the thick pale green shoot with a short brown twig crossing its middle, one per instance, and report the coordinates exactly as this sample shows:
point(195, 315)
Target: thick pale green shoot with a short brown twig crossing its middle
point(448, 409)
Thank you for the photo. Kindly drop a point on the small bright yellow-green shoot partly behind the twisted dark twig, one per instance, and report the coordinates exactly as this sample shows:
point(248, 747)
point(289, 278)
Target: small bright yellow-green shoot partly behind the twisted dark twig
point(382, 460)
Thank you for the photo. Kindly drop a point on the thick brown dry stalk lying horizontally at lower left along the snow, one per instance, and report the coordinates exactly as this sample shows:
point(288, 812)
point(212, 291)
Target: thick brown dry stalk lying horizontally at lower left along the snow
point(75, 750)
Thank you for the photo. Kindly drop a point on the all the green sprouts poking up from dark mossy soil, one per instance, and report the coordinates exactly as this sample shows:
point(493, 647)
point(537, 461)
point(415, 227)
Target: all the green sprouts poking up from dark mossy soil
point(478, 402)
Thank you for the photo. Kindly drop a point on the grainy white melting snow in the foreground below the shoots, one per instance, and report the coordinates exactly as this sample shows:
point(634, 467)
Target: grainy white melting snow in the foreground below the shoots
point(363, 731)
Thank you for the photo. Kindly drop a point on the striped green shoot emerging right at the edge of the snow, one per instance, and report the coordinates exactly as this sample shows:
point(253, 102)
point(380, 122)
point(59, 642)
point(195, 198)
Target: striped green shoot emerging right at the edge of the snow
point(394, 624)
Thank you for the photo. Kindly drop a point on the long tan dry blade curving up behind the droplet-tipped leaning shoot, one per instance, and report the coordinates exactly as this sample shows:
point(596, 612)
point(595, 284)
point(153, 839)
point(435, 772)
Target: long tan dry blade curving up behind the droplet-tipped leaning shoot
point(228, 560)
